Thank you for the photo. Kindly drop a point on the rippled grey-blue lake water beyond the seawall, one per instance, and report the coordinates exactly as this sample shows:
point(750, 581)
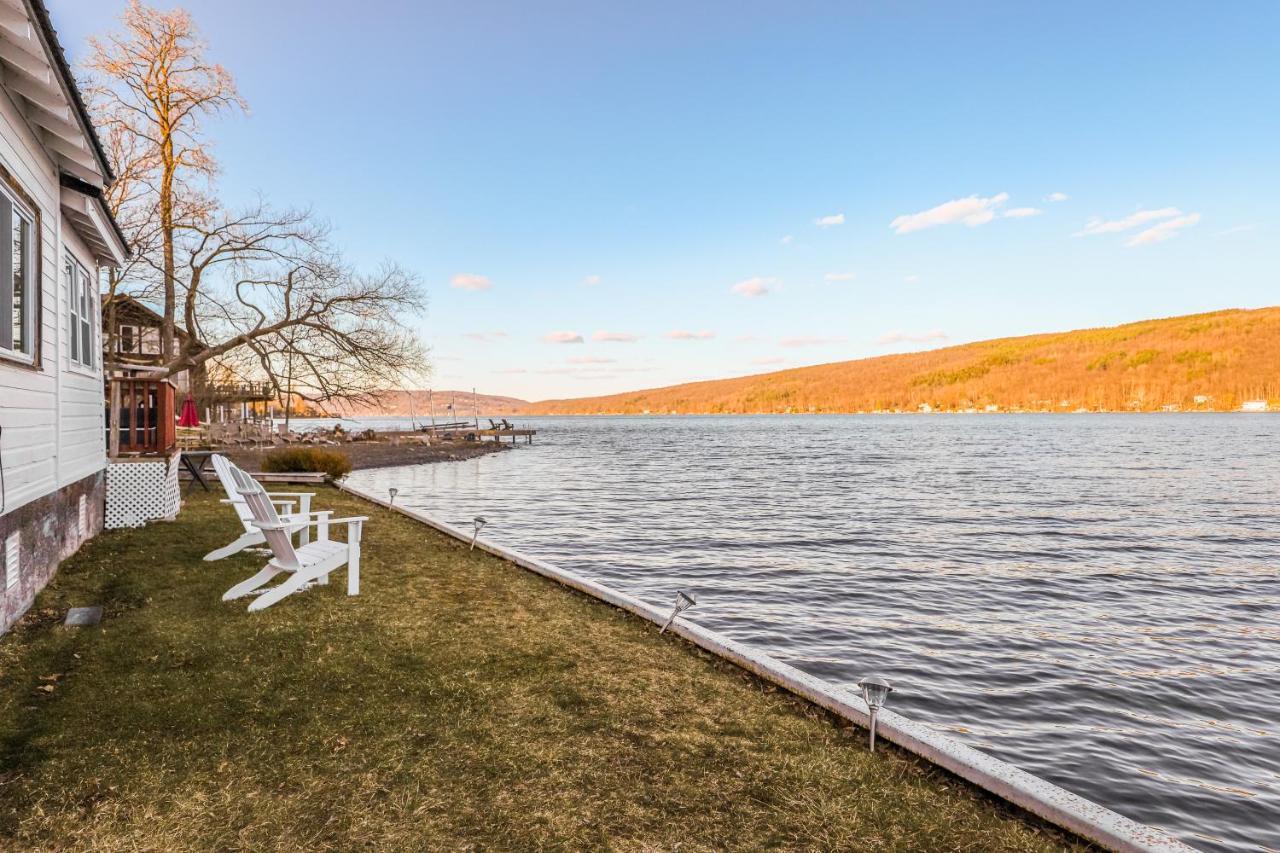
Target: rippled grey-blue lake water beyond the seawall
point(1095, 599)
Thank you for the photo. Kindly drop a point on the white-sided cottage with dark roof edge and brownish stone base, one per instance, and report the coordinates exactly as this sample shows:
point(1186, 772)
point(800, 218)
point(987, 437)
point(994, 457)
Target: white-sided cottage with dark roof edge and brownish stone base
point(60, 232)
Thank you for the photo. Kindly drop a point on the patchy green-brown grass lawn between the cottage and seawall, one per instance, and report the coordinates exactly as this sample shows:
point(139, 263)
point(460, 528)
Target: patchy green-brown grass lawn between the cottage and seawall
point(458, 704)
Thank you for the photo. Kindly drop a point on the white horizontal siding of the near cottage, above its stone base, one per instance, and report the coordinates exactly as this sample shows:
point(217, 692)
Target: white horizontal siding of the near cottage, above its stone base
point(53, 417)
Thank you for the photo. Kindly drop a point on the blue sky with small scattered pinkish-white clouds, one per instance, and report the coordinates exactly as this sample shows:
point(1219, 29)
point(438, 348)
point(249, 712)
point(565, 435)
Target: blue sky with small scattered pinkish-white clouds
point(614, 171)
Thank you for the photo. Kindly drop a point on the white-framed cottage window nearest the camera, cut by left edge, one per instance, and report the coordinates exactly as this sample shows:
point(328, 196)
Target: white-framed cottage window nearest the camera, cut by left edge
point(19, 298)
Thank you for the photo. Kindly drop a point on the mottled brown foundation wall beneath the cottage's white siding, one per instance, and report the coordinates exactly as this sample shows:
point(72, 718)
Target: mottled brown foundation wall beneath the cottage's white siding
point(51, 533)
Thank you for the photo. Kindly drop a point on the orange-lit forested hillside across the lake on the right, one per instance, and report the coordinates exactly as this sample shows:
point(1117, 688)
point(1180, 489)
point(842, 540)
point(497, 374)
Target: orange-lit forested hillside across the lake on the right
point(1205, 362)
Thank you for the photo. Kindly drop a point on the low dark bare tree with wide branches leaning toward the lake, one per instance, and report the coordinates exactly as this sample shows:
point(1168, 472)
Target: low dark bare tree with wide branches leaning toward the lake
point(272, 285)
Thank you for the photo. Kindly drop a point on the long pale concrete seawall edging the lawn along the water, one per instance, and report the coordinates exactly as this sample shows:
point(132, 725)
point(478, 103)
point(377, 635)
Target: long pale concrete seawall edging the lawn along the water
point(1002, 779)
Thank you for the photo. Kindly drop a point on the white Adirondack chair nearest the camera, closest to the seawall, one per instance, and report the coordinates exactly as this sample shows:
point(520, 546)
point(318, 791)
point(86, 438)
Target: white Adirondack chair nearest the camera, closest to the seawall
point(305, 565)
